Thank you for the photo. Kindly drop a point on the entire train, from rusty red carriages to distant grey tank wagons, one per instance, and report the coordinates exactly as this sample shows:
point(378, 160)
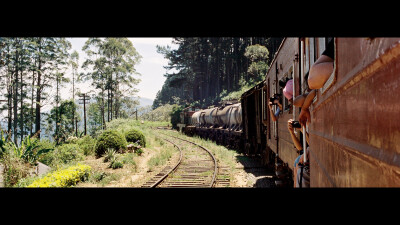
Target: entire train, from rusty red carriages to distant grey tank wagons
point(354, 134)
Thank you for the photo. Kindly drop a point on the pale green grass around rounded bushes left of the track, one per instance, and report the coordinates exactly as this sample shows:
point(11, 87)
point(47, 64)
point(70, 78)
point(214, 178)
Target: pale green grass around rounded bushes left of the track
point(101, 175)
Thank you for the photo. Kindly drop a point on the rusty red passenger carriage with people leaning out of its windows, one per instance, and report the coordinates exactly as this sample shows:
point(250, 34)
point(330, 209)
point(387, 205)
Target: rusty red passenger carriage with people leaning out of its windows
point(354, 134)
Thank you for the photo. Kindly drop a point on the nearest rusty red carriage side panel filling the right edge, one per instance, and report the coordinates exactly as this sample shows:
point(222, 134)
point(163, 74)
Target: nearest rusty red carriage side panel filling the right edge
point(355, 130)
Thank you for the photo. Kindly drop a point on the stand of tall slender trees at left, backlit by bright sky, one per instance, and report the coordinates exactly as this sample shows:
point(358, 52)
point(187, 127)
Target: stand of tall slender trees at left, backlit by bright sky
point(33, 70)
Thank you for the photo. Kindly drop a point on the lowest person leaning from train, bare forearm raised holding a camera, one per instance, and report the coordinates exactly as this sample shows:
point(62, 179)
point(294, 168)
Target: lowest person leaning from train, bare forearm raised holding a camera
point(298, 143)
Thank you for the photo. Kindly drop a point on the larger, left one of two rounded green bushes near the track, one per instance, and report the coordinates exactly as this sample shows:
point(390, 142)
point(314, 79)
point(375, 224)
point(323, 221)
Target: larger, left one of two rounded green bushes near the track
point(110, 139)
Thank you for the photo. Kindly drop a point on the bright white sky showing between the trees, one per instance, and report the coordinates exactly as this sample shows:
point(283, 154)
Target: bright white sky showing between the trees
point(150, 66)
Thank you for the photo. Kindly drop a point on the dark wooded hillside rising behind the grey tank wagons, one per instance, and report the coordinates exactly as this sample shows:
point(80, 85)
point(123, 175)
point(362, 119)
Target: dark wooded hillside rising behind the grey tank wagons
point(211, 69)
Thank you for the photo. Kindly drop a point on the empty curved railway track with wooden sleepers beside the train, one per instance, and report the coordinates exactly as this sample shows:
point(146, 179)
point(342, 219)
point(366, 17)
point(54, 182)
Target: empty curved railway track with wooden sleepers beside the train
point(196, 167)
